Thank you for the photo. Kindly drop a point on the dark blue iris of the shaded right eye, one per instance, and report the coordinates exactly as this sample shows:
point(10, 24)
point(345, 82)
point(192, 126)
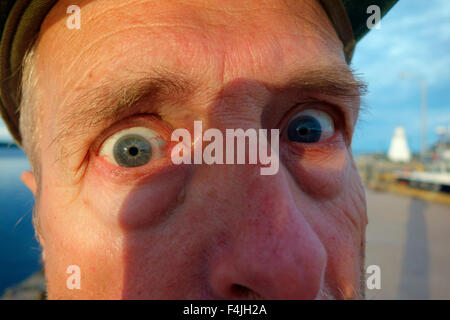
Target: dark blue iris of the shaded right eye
point(304, 129)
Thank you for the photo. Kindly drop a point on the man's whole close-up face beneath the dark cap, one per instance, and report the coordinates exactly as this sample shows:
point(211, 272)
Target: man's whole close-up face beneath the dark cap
point(199, 231)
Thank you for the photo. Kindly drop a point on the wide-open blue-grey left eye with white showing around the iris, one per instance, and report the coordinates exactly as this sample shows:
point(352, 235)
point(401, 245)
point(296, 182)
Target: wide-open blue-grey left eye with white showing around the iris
point(133, 147)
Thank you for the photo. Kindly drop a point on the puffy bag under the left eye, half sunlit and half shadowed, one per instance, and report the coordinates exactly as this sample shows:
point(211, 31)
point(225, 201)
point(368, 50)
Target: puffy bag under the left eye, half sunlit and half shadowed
point(137, 206)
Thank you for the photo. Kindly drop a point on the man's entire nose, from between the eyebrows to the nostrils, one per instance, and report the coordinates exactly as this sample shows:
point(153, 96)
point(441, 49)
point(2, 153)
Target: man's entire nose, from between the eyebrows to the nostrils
point(270, 250)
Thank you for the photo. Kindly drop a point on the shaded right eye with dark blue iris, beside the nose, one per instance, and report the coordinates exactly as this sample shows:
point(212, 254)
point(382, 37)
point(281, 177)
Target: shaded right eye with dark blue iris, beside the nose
point(309, 126)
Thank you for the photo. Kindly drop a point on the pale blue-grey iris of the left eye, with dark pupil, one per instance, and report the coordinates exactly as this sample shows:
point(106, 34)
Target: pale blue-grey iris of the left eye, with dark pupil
point(132, 151)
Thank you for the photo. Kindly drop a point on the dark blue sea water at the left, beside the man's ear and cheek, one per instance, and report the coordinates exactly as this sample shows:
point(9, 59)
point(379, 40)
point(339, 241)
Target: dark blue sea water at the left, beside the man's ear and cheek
point(19, 250)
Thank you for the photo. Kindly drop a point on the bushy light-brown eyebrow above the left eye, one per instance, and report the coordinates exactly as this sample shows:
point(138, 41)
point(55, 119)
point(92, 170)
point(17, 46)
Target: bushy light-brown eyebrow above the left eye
point(103, 103)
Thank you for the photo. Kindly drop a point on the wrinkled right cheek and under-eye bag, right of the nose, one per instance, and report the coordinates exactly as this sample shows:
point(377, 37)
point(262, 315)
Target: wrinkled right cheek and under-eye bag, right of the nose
point(338, 215)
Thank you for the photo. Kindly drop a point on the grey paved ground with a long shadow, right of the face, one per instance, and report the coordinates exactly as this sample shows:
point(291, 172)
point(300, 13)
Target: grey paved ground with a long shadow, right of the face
point(409, 239)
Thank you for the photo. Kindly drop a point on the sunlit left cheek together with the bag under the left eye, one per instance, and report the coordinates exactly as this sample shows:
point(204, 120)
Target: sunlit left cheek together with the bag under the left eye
point(91, 232)
